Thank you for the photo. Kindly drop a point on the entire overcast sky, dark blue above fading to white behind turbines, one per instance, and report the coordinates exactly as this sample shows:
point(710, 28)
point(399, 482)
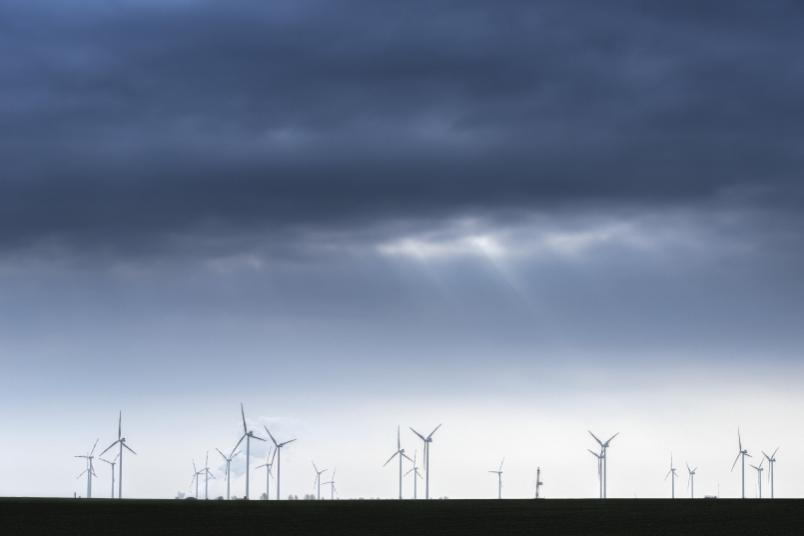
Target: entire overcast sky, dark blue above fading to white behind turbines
point(522, 219)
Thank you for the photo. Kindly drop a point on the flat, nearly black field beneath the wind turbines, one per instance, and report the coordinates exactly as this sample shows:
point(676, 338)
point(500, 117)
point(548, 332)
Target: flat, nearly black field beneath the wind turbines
point(576, 517)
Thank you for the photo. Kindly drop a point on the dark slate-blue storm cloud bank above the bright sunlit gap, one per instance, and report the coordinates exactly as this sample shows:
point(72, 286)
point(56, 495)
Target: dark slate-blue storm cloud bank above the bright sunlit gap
point(127, 123)
